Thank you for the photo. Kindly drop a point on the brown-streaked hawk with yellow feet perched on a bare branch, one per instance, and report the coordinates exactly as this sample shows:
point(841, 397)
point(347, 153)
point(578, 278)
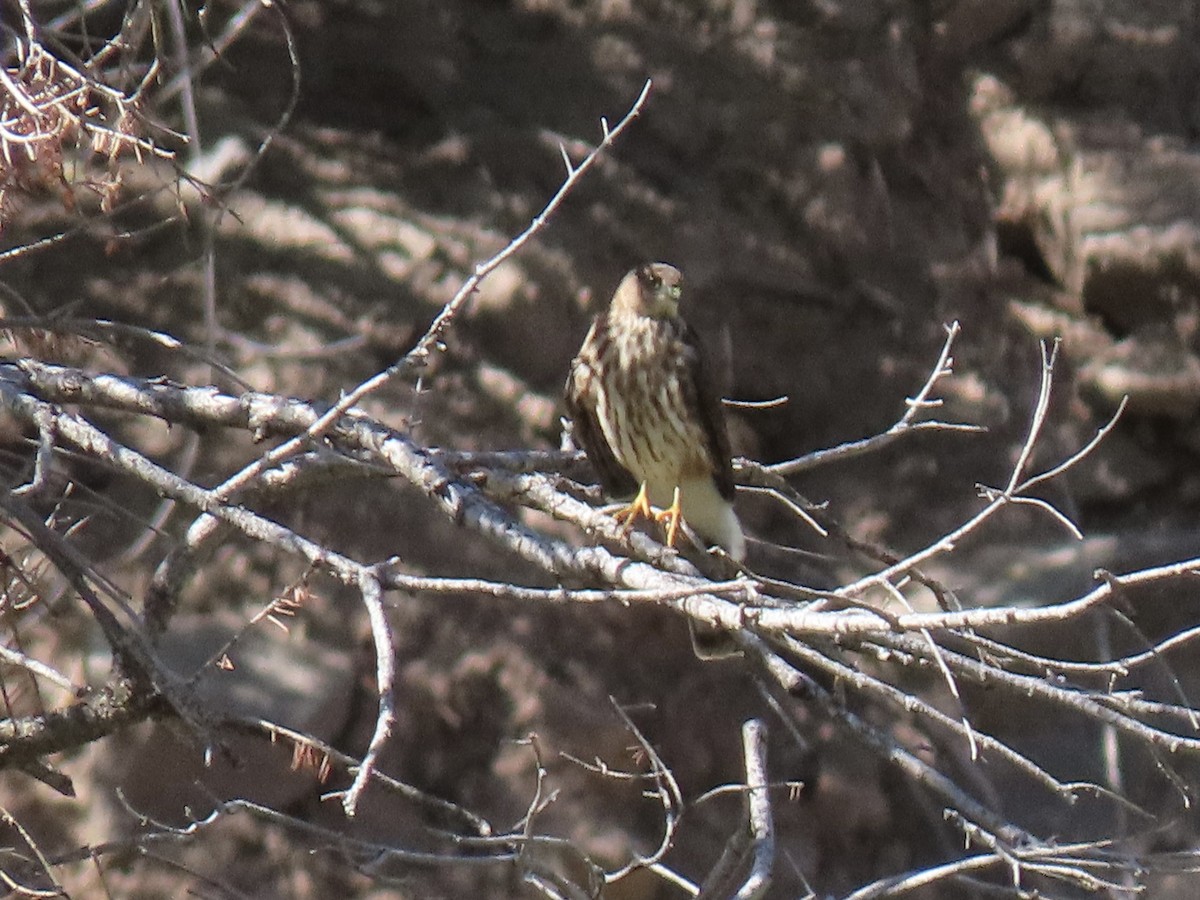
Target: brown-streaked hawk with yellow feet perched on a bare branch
point(647, 416)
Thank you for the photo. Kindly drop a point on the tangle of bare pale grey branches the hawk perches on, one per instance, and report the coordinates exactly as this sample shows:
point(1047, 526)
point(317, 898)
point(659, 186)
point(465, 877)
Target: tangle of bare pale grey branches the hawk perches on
point(847, 653)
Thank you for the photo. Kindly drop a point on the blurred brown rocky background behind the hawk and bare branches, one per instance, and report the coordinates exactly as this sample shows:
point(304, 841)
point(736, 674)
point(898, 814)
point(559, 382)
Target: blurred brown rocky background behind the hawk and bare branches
point(837, 179)
